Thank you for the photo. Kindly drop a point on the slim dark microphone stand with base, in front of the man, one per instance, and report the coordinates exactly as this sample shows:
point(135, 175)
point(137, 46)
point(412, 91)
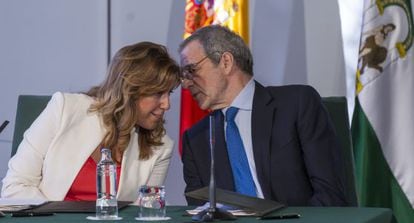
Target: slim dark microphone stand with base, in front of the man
point(212, 212)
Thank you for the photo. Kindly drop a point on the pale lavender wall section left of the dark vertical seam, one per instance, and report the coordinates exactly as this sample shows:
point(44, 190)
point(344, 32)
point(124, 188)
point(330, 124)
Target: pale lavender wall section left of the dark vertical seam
point(48, 46)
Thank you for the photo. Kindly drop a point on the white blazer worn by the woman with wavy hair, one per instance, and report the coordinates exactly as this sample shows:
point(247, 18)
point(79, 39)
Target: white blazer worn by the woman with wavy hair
point(59, 142)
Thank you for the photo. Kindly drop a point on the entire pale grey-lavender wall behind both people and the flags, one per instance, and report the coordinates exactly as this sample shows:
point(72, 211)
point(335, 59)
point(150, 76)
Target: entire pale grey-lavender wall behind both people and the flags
point(50, 45)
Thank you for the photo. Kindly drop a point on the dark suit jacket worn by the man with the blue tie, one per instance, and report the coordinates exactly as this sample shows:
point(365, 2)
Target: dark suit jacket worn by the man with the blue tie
point(294, 147)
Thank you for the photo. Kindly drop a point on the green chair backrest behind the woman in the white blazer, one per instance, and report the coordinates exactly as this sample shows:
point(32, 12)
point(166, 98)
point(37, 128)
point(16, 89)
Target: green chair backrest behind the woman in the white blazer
point(28, 108)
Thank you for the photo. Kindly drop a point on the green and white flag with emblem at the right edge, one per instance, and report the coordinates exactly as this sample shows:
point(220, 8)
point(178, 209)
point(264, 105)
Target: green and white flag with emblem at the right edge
point(383, 120)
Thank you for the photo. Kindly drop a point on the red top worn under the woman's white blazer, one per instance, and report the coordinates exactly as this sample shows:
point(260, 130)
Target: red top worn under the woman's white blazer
point(84, 186)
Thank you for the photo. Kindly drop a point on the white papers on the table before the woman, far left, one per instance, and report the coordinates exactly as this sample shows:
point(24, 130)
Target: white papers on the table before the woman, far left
point(11, 204)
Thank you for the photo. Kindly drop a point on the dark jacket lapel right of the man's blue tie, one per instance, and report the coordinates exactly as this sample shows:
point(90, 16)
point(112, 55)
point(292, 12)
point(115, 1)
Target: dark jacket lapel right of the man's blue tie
point(262, 124)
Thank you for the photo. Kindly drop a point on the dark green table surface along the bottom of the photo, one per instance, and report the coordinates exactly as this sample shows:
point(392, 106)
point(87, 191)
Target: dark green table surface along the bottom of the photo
point(178, 214)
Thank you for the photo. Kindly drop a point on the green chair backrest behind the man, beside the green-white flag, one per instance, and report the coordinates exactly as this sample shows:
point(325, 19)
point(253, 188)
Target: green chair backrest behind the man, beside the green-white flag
point(338, 110)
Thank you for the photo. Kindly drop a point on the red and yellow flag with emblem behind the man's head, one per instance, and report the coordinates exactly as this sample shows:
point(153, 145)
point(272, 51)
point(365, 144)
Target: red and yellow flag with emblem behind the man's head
point(198, 13)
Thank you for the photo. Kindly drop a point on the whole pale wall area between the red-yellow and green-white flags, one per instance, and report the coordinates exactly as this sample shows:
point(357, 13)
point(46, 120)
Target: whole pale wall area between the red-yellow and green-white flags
point(298, 42)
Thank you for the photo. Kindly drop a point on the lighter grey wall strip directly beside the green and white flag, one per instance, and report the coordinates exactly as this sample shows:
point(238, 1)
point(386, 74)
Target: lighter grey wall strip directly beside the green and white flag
point(324, 50)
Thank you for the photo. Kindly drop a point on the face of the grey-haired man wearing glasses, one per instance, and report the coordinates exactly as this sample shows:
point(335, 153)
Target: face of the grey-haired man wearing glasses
point(202, 77)
